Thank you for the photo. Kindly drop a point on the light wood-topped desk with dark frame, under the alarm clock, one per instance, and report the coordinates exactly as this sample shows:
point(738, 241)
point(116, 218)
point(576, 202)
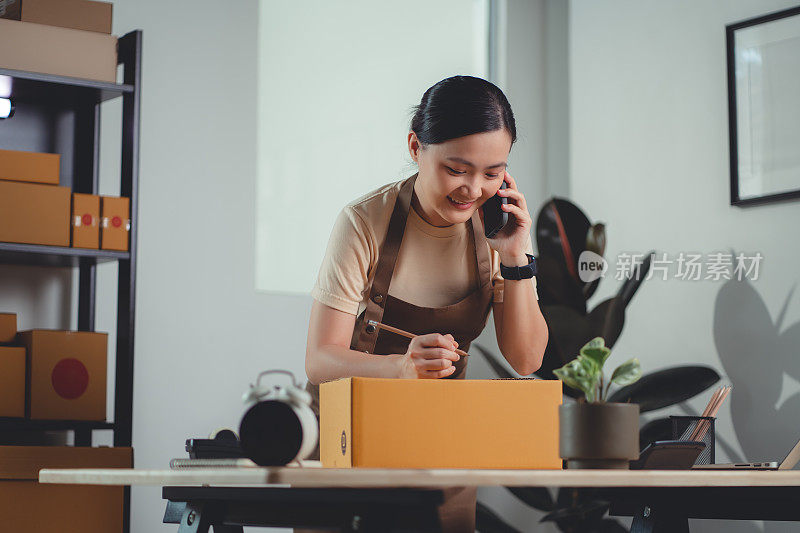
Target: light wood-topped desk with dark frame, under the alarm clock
point(393, 499)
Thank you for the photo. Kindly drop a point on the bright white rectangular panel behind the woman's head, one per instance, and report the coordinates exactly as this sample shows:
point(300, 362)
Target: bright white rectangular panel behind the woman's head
point(334, 108)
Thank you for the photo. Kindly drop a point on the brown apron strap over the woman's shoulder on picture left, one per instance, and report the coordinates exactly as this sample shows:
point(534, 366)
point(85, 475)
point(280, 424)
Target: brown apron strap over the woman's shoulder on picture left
point(384, 270)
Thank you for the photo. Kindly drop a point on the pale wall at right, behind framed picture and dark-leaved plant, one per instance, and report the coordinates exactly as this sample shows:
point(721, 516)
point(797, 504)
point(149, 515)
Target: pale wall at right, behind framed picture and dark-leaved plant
point(649, 156)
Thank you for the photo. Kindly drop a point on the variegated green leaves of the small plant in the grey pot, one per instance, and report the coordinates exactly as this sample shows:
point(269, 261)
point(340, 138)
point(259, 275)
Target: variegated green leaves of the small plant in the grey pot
point(585, 372)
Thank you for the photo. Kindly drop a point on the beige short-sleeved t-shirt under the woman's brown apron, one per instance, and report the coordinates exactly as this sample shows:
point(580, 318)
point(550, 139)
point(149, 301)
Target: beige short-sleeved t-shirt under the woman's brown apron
point(436, 266)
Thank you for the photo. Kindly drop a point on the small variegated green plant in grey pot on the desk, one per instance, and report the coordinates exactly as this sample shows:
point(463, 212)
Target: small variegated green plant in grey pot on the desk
point(594, 433)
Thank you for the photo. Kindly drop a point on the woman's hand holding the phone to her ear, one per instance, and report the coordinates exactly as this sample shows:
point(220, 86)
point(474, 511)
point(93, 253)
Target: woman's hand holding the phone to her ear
point(514, 239)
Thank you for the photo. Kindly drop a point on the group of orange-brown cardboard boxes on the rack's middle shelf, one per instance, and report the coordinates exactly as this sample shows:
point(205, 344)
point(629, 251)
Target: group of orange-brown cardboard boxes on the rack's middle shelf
point(35, 210)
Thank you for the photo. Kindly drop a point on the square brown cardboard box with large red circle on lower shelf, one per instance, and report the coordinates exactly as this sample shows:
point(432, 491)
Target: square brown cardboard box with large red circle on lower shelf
point(66, 374)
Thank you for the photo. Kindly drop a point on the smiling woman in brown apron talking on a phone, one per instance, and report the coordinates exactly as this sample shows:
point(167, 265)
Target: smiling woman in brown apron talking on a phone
point(413, 255)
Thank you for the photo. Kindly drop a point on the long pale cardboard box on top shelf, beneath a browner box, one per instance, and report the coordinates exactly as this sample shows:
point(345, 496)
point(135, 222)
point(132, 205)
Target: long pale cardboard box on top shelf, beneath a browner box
point(58, 51)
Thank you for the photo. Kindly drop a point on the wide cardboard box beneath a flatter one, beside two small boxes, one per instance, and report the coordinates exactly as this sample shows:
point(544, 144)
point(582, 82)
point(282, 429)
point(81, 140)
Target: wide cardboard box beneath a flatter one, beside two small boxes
point(34, 214)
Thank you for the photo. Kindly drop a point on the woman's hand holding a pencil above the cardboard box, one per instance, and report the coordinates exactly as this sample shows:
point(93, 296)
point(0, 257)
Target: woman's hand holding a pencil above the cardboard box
point(429, 356)
